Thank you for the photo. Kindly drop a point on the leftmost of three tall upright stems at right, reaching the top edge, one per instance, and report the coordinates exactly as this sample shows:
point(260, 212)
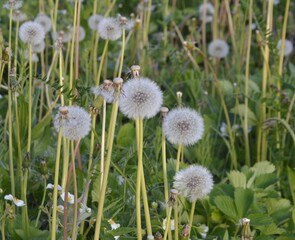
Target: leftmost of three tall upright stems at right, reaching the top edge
point(246, 138)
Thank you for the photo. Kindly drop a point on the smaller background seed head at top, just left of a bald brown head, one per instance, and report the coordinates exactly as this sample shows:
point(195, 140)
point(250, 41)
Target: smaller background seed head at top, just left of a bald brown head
point(109, 28)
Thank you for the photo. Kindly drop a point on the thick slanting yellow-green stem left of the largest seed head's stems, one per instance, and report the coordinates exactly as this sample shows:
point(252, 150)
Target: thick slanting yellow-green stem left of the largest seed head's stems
point(106, 171)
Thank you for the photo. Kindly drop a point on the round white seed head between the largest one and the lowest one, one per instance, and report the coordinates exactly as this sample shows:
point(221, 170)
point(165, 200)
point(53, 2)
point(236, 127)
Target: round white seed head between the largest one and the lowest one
point(183, 126)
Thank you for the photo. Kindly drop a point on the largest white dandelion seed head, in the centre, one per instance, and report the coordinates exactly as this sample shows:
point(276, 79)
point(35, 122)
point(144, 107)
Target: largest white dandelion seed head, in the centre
point(141, 98)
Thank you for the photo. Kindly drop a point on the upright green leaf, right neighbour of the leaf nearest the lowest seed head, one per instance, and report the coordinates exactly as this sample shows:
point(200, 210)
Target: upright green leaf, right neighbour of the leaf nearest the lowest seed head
point(243, 201)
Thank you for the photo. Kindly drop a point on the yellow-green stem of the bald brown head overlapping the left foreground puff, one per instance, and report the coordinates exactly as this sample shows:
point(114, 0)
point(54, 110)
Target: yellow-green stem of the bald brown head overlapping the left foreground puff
point(56, 172)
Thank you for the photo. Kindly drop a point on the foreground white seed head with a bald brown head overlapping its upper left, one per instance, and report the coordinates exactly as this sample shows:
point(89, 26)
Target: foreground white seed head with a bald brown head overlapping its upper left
point(74, 121)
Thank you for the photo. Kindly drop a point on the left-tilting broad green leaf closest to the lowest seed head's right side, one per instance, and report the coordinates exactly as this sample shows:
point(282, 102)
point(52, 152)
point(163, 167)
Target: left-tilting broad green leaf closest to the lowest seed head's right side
point(226, 205)
